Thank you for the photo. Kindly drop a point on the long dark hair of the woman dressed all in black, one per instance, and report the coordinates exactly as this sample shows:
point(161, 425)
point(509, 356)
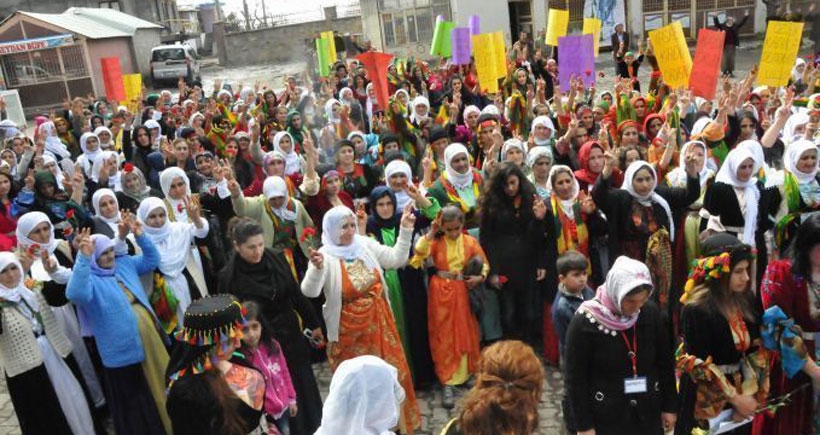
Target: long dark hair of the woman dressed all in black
point(495, 202)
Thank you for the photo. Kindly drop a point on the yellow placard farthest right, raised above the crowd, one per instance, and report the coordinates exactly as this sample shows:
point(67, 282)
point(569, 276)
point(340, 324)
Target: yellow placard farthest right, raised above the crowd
point(779, 53)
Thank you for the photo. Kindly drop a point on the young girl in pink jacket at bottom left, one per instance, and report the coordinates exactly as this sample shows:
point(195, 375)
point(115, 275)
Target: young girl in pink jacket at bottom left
point(265, 354)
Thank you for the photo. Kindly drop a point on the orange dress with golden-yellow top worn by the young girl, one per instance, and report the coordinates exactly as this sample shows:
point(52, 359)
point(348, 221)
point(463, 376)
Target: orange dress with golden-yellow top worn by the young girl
point(448, 310)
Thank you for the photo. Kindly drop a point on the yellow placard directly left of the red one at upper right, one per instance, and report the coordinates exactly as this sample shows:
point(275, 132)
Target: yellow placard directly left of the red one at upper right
point(672, 53)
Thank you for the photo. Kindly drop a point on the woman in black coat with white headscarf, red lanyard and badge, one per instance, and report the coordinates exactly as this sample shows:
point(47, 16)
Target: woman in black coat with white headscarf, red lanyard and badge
point(620, 370)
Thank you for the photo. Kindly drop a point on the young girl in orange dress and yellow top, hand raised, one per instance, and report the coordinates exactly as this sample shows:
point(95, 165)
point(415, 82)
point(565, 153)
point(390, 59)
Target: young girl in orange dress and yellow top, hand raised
point(461, 266)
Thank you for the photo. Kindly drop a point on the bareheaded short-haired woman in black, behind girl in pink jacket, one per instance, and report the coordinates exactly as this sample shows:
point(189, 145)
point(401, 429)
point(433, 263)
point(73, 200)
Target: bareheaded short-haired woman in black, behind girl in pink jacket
point(255, 273)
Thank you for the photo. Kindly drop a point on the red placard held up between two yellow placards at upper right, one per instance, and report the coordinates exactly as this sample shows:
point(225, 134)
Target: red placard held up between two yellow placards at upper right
point(706, 66)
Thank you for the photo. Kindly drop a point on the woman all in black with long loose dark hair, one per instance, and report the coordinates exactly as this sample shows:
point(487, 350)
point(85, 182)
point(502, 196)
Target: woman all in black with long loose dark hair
point(514, 239)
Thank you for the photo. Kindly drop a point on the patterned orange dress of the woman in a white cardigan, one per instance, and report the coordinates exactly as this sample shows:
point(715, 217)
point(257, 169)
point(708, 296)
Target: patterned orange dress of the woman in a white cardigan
point(366, 327)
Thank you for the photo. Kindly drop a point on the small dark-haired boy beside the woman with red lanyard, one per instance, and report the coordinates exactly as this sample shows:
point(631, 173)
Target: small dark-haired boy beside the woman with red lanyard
point(572, 267)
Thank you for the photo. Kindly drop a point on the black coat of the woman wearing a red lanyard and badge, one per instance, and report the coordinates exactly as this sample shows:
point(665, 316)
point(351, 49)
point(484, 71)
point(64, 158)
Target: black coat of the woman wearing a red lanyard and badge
point(597, 365)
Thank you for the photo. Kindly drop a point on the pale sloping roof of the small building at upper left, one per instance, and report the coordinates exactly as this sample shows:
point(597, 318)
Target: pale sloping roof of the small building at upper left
point(95, 23)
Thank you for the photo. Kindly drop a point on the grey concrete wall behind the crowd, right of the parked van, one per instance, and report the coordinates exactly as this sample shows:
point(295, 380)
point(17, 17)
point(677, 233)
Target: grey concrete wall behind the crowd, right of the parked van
point(282, 43)
